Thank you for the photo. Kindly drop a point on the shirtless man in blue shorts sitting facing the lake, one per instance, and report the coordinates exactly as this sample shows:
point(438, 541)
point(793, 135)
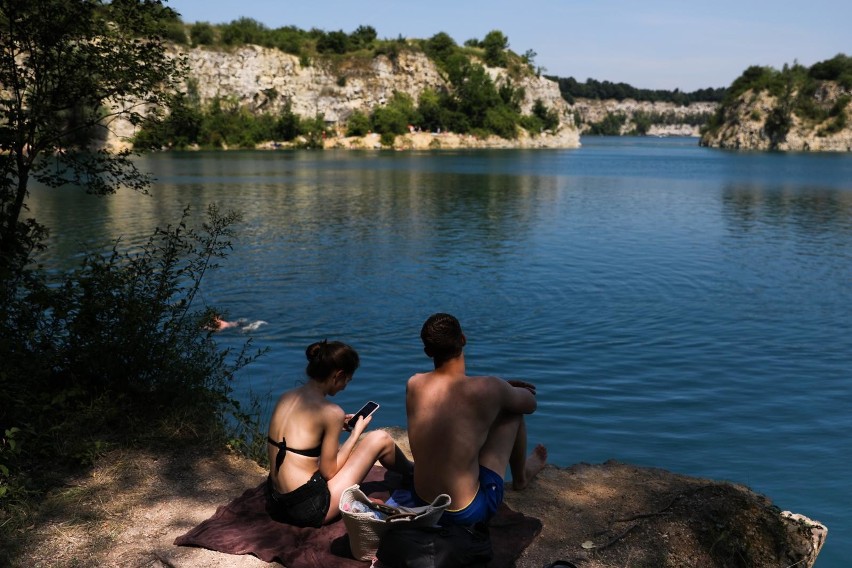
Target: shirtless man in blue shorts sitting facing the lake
point(464, 431)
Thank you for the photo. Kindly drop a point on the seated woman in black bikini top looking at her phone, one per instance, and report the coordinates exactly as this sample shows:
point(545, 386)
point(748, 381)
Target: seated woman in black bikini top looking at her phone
point(309, 468)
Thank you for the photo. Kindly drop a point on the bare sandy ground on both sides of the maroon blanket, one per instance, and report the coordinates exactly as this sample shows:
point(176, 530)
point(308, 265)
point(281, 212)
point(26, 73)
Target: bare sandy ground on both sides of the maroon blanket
point(129, 509)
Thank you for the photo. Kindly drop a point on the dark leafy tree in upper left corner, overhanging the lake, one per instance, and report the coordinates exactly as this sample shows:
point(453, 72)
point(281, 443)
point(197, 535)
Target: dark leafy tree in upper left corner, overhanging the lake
point(68, 69)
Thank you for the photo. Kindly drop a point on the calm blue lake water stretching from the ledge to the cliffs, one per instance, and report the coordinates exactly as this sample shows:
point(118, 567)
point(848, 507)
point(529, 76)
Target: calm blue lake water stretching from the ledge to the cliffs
point(676, 306)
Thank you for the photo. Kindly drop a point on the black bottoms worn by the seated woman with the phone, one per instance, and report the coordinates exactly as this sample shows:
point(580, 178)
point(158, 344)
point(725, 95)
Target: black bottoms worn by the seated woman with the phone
point(305, 506)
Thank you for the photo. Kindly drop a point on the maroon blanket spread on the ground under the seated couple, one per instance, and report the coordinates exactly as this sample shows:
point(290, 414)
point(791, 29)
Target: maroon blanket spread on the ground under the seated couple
point(243, 527)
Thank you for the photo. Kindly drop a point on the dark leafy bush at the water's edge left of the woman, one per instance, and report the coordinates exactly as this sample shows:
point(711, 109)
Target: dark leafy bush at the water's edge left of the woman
point(114, 351)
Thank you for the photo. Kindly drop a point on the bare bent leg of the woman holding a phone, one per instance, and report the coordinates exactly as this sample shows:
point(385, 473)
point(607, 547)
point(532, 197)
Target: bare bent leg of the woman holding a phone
point(376, 445)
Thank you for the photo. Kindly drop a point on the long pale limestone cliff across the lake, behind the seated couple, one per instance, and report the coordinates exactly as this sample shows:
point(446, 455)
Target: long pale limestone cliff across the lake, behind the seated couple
point(267, 80)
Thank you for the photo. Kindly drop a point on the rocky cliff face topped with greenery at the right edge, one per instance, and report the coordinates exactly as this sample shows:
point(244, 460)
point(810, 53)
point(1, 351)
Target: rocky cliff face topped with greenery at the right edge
point(749, 124)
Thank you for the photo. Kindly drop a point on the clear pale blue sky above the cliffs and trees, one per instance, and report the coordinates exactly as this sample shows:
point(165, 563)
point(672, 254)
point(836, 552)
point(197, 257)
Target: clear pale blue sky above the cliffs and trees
point(653, 44)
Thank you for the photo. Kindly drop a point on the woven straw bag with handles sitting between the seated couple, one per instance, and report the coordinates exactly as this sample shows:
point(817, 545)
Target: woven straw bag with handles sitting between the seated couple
point(366, 522)
